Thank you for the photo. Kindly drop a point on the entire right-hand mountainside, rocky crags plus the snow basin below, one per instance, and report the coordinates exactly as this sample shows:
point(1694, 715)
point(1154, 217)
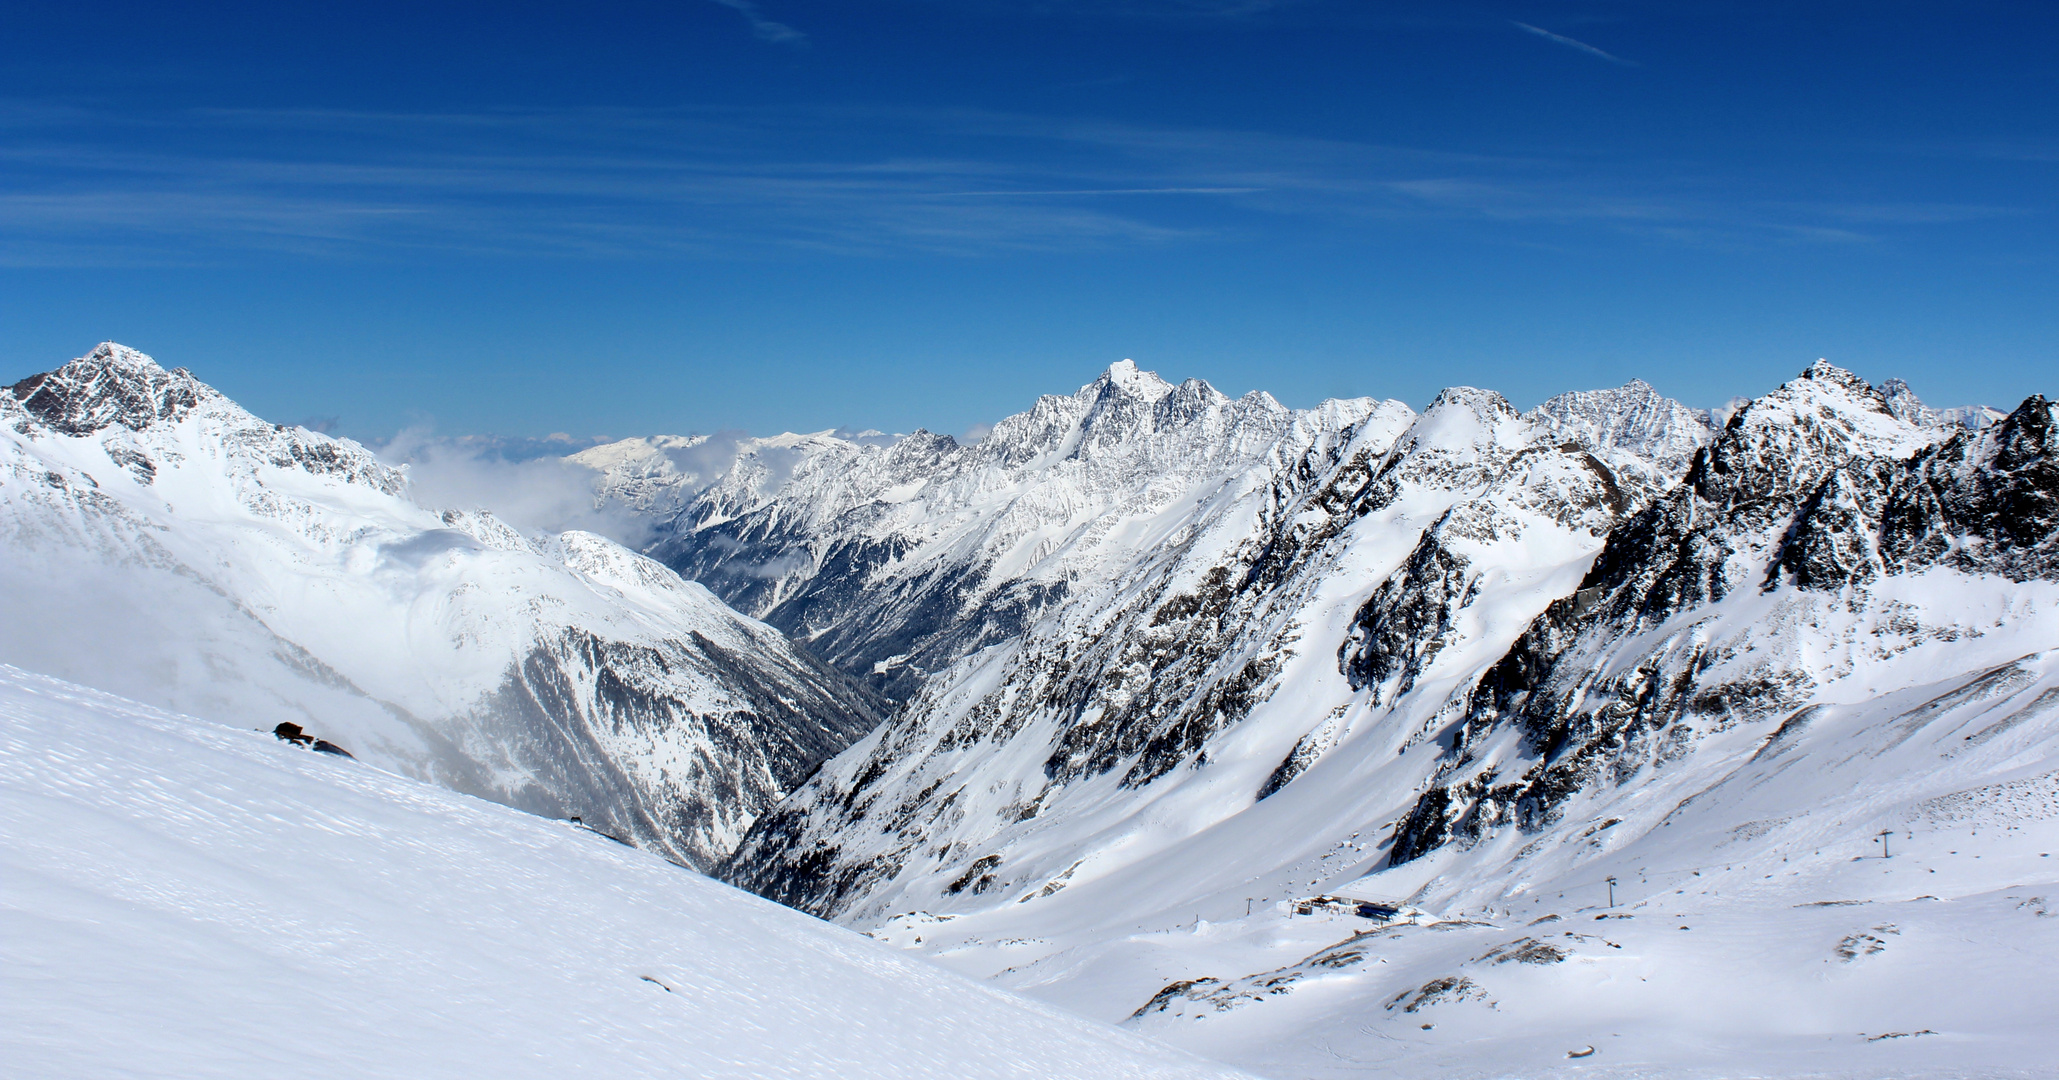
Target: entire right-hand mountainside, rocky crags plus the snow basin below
point(1481, 670)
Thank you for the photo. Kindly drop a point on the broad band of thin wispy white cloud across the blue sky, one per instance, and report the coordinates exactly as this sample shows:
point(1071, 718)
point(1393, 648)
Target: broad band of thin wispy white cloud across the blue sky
point(656, 184)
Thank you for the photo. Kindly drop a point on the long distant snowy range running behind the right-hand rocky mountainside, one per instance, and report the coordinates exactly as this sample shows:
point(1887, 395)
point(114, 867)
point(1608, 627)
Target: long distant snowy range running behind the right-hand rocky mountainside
point(897, 556)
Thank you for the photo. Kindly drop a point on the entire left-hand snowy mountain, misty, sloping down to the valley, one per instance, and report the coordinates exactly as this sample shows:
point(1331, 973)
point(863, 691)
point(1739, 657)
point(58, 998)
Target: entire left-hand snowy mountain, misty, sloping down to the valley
point(170, 546)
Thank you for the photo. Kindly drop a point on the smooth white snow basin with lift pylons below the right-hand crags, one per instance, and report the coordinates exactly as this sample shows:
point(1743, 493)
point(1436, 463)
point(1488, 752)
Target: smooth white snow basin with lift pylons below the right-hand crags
point(1757, 927)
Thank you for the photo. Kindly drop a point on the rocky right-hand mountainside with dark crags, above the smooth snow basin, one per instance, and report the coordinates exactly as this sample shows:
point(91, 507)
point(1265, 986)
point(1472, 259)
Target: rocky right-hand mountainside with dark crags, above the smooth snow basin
point(1436, 628)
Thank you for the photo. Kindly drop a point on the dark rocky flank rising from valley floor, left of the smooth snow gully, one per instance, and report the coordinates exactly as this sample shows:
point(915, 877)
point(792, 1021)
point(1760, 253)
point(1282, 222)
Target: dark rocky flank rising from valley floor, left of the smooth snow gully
point(1121, 684)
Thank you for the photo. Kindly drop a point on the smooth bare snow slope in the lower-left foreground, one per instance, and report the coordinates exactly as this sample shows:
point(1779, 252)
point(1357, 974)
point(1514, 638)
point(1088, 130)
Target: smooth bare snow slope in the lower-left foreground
point(201, 902)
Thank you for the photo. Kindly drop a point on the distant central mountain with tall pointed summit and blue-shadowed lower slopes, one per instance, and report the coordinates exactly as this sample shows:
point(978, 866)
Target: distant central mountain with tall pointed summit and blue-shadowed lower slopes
point(895, 561)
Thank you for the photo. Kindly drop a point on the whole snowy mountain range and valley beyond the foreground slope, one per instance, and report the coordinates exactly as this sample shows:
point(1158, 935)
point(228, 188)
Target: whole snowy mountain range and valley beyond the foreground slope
point(1269, 733)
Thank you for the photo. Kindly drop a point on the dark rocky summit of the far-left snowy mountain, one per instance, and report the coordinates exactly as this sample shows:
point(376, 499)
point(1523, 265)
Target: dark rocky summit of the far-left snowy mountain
point(106, 388)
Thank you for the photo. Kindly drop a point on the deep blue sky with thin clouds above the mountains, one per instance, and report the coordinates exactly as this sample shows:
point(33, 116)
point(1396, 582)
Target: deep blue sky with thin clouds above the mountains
point(767, 215)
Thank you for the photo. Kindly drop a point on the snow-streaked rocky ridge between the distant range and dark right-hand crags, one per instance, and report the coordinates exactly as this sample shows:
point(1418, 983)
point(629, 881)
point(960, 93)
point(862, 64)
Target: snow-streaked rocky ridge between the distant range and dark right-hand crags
point(1463, 519)
